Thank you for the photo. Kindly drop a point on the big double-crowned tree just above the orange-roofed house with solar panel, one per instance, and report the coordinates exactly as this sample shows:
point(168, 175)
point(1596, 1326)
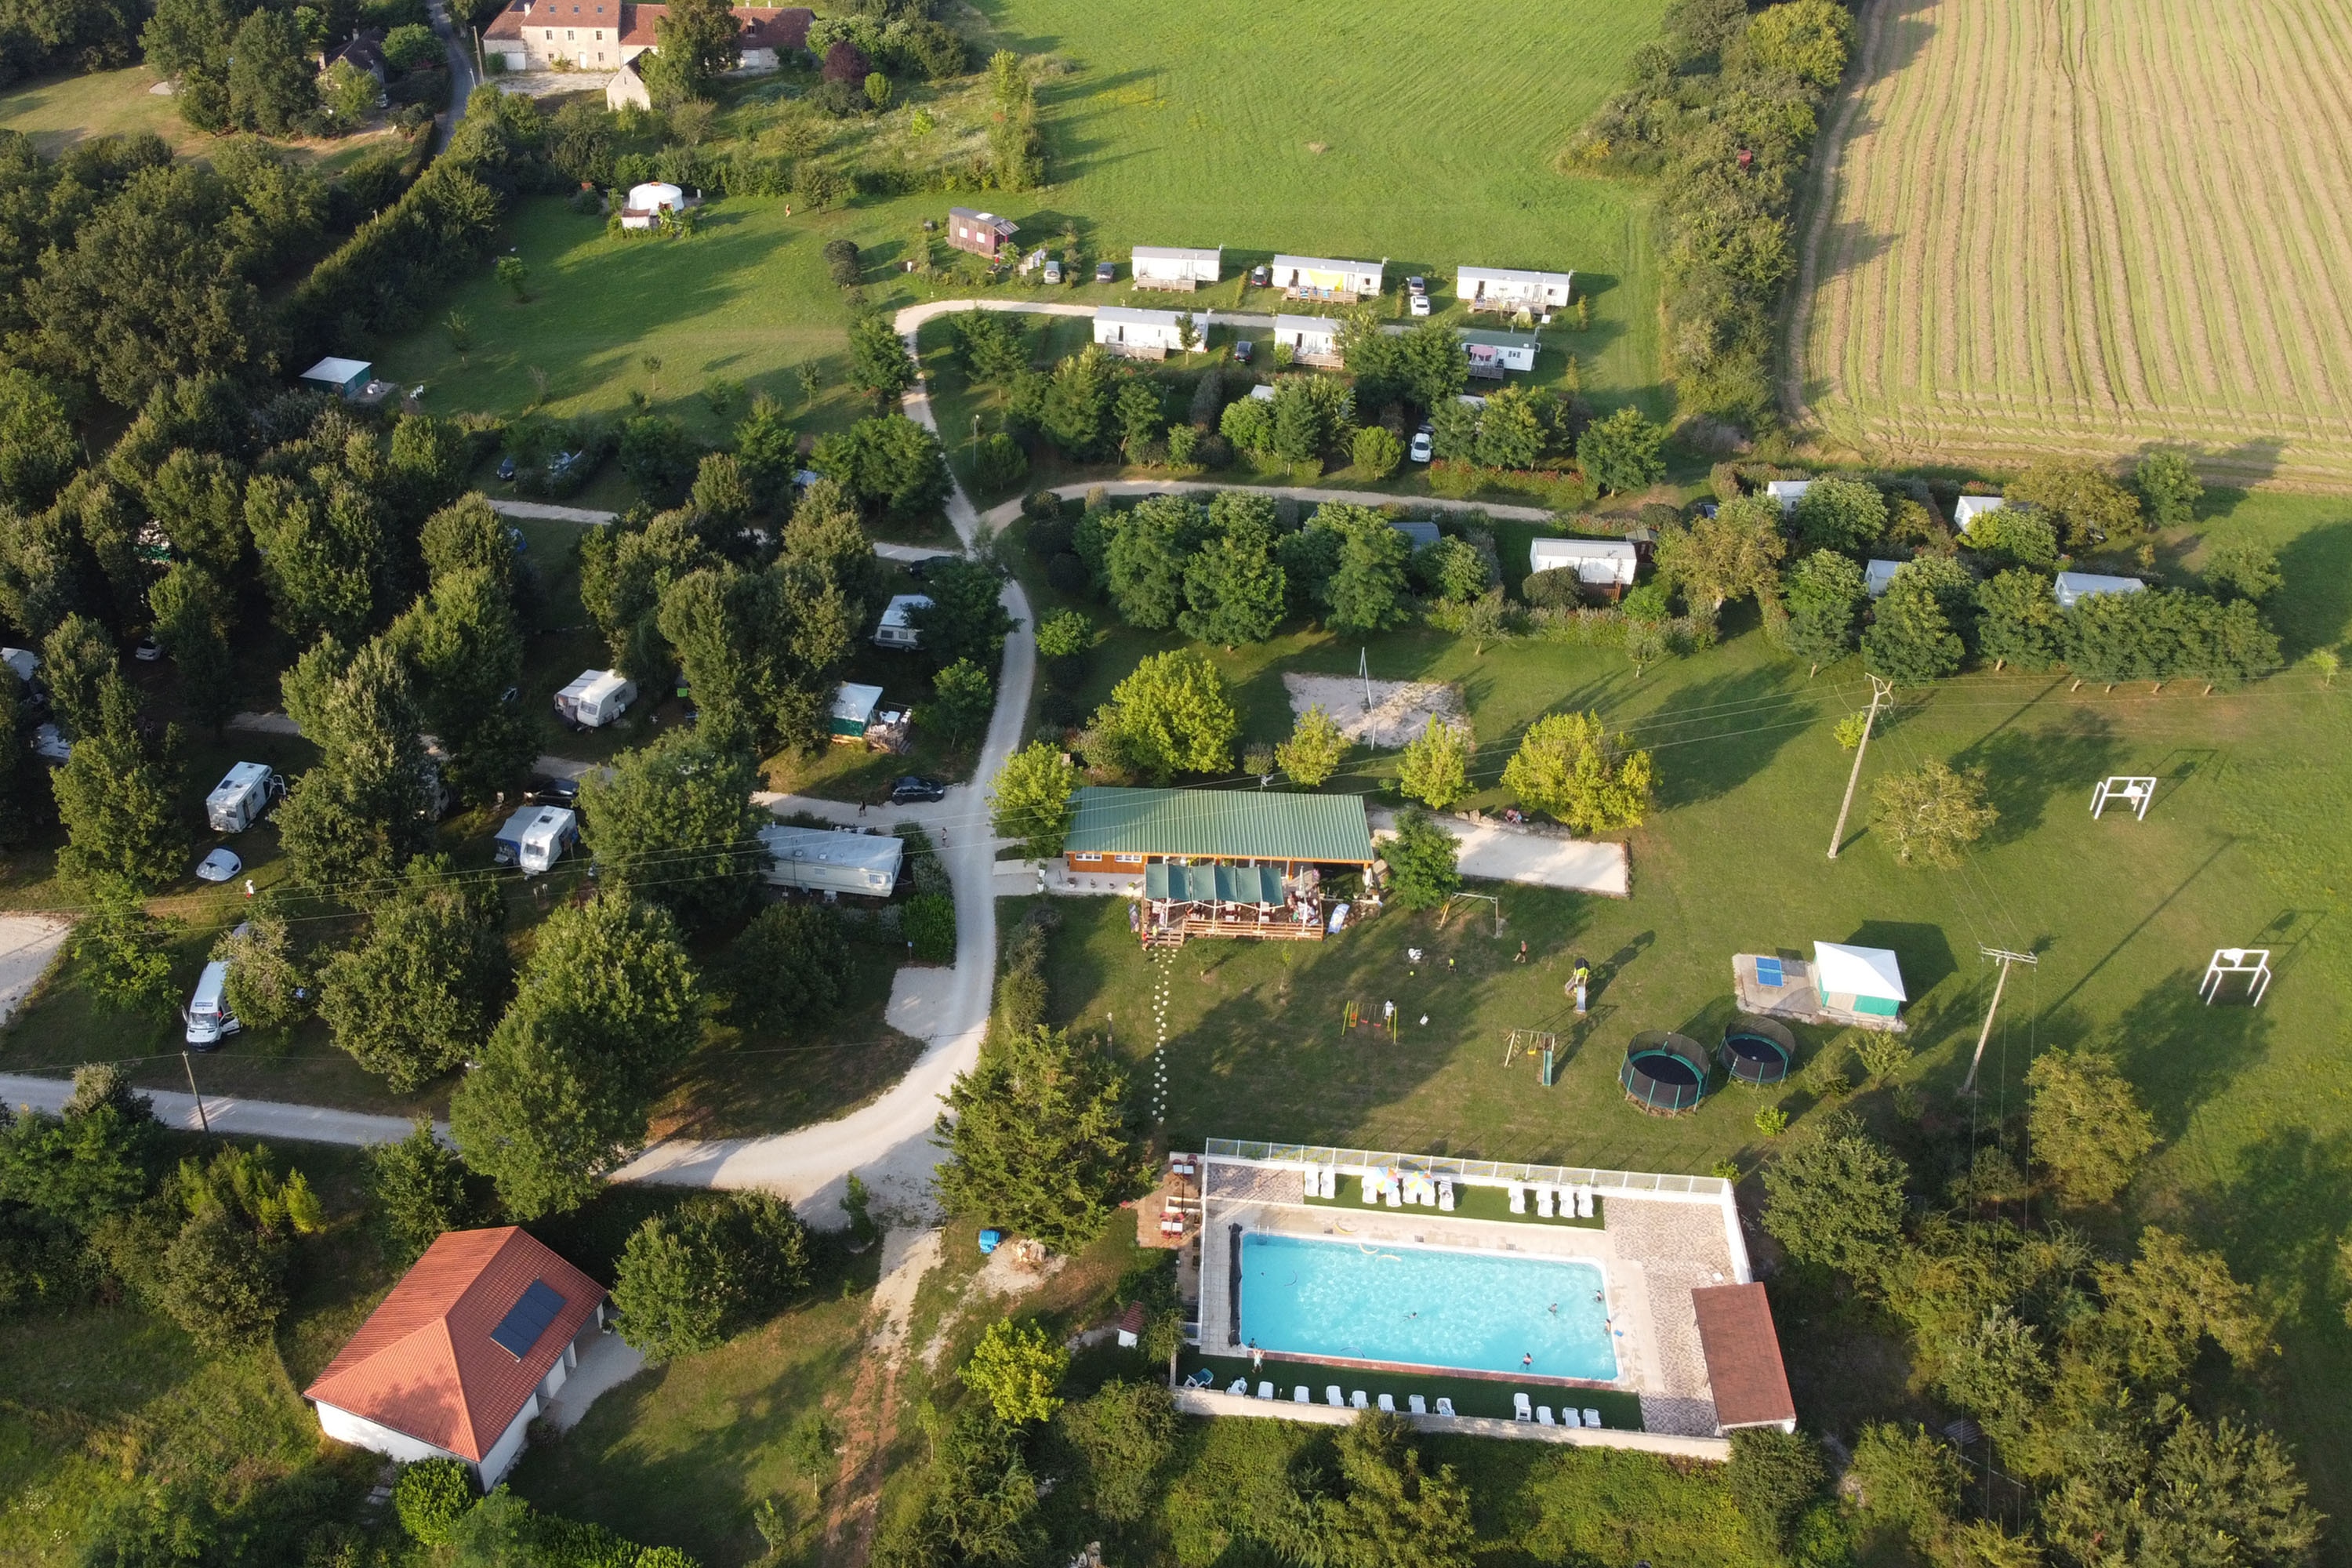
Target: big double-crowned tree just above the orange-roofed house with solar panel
point(608, 1010)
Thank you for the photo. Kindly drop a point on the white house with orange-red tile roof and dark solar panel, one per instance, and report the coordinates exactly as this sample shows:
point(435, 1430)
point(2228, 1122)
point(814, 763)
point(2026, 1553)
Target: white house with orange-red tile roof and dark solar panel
point(462, 1355)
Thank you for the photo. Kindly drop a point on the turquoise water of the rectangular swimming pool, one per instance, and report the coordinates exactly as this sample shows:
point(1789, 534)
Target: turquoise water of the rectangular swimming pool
point(1426, 1306)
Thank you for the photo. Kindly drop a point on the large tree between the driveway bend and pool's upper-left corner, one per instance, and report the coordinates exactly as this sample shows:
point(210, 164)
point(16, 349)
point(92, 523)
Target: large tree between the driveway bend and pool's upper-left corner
point(1038, 1139)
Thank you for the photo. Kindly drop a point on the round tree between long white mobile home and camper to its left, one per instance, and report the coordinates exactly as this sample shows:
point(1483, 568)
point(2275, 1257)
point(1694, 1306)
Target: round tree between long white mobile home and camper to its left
point(674, 824)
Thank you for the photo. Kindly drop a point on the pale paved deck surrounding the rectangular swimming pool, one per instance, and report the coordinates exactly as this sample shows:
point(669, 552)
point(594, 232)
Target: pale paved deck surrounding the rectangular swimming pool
point(1652, 1257)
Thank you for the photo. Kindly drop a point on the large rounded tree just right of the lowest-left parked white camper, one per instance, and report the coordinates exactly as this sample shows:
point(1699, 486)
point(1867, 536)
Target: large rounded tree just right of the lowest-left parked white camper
point(425, 986)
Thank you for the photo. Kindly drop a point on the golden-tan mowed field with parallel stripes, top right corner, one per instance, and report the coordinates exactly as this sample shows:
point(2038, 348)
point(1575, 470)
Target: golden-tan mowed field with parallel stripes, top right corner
point(2087, 227)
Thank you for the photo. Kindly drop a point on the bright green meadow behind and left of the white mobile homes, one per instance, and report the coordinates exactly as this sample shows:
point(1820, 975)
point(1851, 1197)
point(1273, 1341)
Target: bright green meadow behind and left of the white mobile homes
point(1229, 128)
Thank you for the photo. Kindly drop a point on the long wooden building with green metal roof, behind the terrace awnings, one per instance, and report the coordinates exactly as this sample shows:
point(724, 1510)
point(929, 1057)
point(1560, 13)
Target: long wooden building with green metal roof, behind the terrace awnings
point(1123, 831)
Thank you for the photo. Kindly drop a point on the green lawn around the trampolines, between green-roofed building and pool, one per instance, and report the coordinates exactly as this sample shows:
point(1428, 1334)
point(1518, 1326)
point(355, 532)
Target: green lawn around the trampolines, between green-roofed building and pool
point(2245, 847)
